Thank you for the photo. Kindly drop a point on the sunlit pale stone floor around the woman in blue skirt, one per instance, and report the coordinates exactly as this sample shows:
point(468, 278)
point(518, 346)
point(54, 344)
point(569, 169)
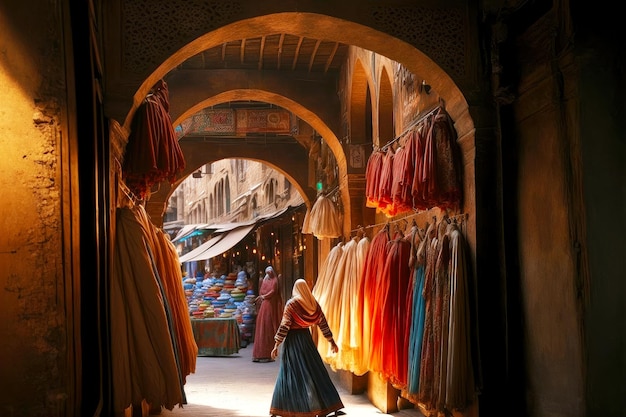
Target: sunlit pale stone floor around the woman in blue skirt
point(235, 386)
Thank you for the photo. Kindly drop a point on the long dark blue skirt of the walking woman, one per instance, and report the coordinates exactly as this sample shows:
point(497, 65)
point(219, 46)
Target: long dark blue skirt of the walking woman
point(303, 387)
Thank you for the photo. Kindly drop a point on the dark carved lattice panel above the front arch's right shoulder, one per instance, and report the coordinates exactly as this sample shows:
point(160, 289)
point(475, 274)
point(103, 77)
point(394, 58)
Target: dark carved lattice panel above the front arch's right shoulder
point(439, 33)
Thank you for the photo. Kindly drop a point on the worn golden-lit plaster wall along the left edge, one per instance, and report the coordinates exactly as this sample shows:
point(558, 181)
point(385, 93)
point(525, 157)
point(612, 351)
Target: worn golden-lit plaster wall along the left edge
point(35, 343)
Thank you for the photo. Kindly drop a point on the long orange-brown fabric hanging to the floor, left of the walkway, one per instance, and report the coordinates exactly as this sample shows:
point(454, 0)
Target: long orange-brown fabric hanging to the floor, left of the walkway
point(143, 351)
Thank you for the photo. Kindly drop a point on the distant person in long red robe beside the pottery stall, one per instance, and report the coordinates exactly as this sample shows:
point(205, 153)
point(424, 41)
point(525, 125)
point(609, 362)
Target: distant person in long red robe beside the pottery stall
point(270, 308)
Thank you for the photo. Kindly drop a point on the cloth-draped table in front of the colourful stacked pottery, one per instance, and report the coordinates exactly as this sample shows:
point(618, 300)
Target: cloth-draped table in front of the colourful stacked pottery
point(216, 336)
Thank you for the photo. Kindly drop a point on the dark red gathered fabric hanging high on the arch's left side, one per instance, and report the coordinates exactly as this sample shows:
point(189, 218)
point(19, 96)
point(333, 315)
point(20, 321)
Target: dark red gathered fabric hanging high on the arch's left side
point(152, 153)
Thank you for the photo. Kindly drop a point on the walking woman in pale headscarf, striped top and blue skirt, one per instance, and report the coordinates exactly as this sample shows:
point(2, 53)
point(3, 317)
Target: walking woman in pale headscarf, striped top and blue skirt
point(303, 386)
